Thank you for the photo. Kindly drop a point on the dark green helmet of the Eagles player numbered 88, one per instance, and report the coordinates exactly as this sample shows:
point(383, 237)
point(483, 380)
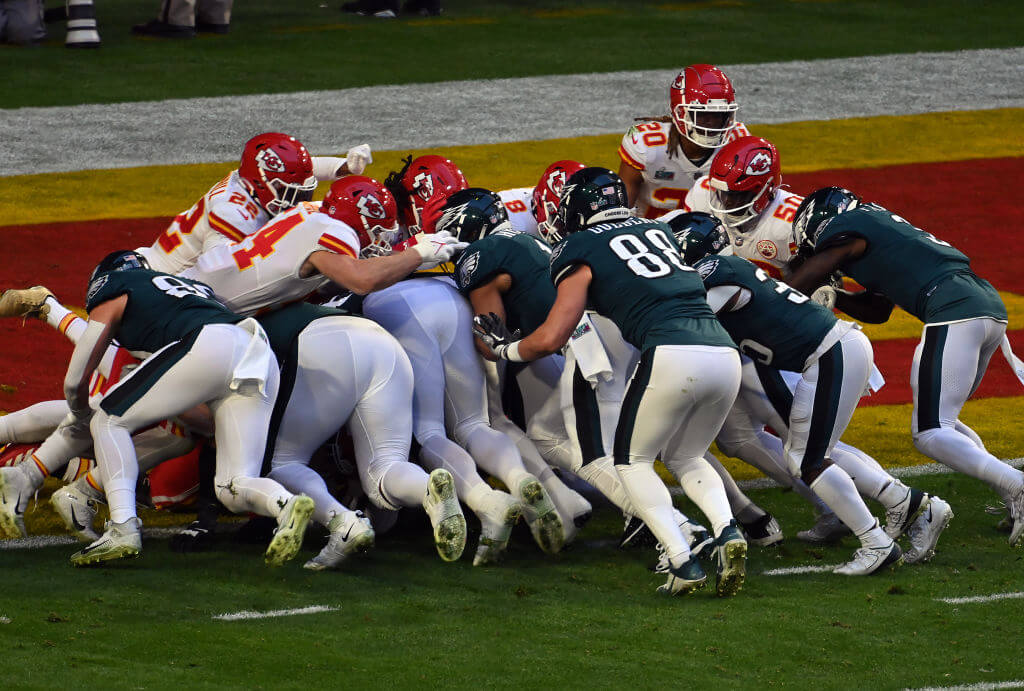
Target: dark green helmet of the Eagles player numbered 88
point(590, 196)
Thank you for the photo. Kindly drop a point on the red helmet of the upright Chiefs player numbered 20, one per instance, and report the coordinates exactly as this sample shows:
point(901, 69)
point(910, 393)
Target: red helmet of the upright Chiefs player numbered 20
point(704, 105)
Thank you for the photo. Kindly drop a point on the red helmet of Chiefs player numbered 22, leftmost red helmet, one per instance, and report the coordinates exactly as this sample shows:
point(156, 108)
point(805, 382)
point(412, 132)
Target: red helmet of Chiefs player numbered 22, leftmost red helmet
point(278, 171)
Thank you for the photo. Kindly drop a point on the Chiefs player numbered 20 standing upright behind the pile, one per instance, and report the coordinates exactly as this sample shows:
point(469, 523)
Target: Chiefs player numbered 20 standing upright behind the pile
point(662, 158)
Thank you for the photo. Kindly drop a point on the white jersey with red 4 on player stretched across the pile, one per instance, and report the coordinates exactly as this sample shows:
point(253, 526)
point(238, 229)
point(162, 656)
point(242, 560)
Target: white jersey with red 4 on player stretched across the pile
point(263, 272)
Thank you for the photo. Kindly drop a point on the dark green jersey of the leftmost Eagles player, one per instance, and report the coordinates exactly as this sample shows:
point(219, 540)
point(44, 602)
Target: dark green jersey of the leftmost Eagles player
point(162, 309)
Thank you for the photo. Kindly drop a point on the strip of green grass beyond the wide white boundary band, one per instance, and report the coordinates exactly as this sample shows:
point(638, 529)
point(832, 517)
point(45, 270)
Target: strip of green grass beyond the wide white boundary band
point(291, 47)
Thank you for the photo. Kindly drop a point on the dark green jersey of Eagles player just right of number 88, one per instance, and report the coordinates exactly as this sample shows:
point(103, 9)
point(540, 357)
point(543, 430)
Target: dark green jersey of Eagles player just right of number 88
point(780, 326)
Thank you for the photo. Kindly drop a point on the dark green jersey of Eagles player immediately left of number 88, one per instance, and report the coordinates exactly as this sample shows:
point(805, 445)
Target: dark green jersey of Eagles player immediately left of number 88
point(527, 261)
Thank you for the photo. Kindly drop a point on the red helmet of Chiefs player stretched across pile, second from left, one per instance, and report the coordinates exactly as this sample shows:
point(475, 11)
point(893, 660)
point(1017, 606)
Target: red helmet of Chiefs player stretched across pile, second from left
point(369, 208)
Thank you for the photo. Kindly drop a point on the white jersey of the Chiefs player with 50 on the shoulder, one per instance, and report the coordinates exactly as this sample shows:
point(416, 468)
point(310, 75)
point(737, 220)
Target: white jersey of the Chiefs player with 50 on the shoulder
point(767, 240)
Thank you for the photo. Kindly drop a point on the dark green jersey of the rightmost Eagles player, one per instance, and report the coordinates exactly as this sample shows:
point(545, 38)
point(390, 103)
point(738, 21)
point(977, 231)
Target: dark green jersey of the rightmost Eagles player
point(925, 276)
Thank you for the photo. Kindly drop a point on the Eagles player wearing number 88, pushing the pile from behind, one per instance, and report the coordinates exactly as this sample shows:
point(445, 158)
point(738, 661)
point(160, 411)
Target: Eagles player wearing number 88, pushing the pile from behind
point(629, 271)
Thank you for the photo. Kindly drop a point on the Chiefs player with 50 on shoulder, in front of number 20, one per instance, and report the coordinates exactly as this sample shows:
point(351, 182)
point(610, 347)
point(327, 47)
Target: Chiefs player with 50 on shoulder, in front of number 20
point(744, 191)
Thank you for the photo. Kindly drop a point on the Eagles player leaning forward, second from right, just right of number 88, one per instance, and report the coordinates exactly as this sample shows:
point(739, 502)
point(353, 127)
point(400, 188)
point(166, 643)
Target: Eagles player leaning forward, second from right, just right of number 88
point(780, 329)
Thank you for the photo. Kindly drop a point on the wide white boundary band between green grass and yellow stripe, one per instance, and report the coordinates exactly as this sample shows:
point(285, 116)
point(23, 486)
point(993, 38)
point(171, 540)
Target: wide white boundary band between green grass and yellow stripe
point(483, 112)
